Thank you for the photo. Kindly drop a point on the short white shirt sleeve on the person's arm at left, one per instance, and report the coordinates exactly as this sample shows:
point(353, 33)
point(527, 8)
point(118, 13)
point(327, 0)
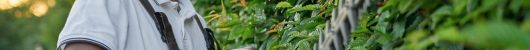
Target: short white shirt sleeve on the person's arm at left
point(89, 22)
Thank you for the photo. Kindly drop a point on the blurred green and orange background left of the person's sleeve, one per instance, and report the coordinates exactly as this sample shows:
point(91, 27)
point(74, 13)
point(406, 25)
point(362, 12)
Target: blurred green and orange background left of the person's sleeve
point(32, 24)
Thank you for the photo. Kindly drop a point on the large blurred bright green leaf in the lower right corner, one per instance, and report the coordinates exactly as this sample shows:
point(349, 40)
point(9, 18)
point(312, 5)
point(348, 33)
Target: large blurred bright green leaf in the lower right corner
point(496, 34)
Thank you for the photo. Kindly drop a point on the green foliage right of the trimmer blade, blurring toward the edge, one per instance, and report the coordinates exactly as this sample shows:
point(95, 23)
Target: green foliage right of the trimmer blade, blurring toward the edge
point(443, 25)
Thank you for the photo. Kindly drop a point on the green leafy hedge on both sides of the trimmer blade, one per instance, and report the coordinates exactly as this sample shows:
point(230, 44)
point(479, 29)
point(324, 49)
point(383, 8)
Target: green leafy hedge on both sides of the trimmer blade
point(387, 24)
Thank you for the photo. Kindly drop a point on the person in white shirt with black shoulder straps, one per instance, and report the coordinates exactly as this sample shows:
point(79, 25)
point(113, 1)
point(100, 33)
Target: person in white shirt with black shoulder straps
point(129, 25)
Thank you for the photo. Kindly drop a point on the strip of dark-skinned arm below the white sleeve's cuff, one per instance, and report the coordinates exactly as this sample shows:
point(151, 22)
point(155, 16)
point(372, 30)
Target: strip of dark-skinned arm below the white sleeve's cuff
point(82, 46)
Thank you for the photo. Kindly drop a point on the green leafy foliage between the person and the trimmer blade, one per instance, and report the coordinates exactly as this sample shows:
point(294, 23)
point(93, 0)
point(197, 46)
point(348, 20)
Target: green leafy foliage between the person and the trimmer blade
point(267, 24)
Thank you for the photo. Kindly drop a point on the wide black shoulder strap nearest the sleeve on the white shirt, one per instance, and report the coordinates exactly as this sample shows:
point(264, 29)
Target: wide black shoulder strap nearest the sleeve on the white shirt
point(162, 24)
